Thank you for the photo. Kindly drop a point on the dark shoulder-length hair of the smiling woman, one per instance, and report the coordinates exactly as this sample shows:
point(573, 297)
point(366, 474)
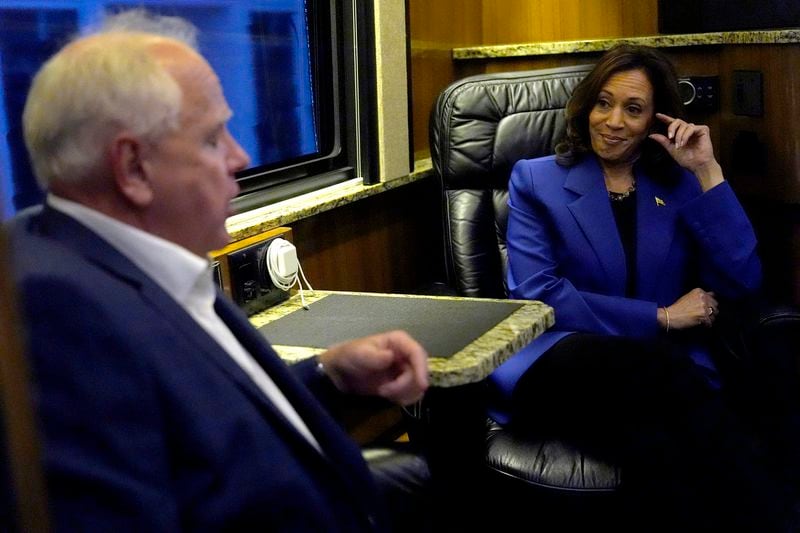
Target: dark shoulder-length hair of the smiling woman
point(621, 58)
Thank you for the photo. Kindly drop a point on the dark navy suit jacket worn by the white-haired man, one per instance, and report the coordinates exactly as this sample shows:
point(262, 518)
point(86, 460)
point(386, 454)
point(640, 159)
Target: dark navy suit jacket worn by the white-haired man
point(149, 425)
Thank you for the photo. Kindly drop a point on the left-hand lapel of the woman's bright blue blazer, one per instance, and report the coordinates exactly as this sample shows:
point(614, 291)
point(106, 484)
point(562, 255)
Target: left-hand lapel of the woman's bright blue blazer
point(593, 215)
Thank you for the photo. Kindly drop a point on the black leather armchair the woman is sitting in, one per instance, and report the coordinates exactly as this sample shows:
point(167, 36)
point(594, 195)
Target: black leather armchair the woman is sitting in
point(480, 126)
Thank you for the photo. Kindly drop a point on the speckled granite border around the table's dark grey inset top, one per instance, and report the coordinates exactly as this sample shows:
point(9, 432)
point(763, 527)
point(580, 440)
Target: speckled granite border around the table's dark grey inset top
point(472, 364)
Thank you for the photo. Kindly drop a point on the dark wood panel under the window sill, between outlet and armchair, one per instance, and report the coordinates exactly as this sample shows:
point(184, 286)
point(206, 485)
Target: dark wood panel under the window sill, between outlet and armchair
point(387, 243)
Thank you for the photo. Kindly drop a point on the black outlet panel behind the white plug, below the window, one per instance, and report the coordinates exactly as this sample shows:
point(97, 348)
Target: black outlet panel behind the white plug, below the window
point(251, 287)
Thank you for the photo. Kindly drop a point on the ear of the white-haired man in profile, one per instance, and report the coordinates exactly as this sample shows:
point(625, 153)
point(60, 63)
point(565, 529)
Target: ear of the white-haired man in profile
point(128, 167)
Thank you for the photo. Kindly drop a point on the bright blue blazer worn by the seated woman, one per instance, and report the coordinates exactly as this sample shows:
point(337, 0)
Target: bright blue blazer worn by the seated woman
point(564, 249)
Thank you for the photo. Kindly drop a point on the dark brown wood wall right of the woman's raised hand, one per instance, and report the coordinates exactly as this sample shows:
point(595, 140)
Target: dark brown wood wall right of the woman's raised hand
point(761, 157)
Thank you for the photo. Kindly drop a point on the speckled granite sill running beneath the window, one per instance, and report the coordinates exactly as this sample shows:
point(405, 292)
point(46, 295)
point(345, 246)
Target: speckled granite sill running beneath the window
point(271, 216)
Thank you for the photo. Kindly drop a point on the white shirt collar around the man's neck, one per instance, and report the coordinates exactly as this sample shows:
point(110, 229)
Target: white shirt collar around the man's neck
point(174, 268)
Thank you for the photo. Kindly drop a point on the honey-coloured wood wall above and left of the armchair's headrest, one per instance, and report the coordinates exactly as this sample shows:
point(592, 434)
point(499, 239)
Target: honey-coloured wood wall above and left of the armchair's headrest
point(438, 26)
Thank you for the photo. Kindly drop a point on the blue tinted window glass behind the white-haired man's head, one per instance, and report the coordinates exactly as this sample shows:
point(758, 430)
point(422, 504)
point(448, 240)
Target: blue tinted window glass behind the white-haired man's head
point(261, 50)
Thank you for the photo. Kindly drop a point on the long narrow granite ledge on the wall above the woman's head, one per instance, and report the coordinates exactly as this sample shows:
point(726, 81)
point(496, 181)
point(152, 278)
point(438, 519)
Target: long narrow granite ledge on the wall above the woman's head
point(787, 36)
